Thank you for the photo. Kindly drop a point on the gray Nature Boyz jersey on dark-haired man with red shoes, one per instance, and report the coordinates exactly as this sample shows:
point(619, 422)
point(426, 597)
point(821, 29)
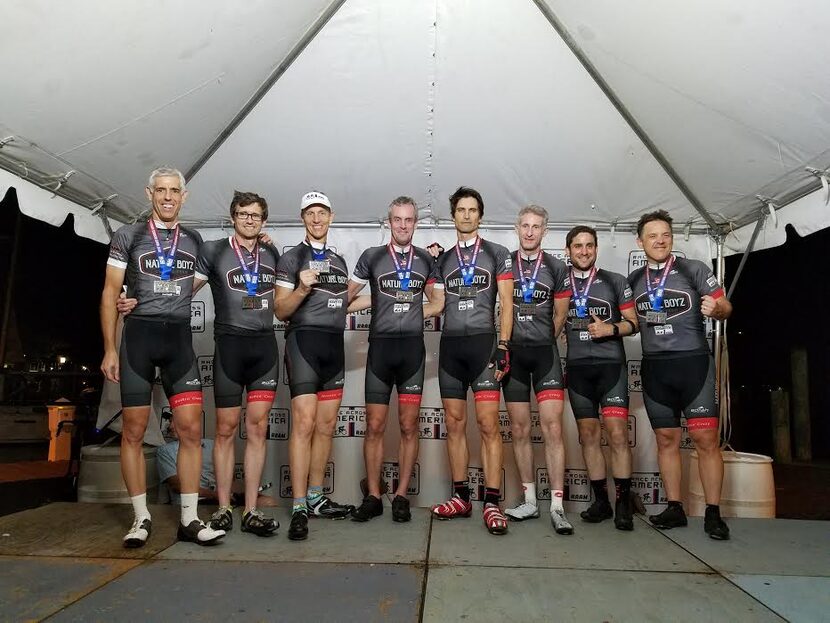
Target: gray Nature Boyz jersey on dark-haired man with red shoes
point(472, 311)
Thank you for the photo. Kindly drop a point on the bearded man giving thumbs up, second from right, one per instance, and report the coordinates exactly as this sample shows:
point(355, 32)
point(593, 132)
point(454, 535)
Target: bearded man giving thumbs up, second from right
point(601, 312)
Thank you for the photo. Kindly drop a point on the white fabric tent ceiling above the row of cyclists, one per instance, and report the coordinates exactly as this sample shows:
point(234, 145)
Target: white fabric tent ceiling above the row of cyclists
point(598, 110)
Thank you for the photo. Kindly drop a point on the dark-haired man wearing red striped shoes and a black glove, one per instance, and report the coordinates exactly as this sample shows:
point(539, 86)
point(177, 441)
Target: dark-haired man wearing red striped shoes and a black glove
point(471, 275)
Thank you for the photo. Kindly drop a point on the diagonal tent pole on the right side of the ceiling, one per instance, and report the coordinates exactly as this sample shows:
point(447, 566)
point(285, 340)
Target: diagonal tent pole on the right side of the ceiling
point(577, 51)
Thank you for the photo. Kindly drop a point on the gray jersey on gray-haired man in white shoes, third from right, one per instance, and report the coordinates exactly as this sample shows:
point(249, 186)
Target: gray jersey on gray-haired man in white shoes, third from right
point(533, 322)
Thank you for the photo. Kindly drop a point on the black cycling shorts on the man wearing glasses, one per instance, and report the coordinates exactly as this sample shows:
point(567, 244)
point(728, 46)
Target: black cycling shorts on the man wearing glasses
point(245, 362)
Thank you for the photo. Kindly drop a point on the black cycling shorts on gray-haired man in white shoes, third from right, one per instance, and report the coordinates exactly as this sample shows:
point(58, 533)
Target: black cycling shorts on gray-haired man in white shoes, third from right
point(534, 366)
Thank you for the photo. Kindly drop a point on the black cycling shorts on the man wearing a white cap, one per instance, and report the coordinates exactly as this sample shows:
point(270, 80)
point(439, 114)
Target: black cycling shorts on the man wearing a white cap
point(315, 363)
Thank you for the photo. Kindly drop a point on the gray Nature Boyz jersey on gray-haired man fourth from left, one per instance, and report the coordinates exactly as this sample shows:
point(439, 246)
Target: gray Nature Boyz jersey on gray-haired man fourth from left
point(394, 312)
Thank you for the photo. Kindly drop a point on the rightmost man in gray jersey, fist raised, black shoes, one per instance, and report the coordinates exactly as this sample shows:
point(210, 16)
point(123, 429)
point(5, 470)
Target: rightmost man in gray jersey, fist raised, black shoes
point(672, 295)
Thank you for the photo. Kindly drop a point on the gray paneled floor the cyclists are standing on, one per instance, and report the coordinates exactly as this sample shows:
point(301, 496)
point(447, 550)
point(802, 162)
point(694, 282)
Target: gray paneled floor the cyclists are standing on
point(64, 562)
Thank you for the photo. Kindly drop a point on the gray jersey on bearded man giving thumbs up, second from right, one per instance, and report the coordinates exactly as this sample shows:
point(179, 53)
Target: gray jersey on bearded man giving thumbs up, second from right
point(608, 295)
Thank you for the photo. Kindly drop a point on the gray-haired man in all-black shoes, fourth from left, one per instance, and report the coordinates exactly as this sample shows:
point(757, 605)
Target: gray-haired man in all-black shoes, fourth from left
point(398, 274)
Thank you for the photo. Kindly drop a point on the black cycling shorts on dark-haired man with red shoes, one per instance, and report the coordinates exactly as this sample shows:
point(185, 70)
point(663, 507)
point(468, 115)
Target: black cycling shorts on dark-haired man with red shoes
point(463, 362)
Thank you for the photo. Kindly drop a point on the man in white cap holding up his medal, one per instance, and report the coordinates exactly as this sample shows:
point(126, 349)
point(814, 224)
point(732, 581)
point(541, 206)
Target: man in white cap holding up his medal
point(312, 295)
